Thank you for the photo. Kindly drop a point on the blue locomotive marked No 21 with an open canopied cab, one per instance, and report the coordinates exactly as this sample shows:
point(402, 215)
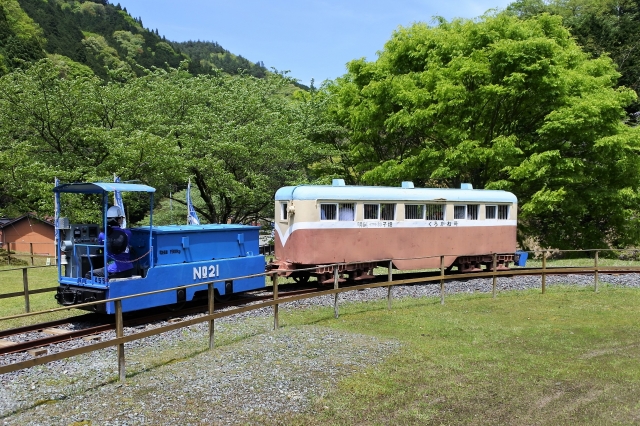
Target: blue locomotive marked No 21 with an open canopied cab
point(161, 257)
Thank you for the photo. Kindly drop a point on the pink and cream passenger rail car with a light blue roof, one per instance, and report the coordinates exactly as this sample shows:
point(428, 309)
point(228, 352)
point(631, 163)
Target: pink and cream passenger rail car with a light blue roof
point(364, 226)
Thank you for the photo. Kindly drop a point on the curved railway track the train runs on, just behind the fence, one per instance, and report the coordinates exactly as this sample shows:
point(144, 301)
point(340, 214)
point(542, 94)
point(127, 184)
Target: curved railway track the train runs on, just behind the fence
point(22, 339)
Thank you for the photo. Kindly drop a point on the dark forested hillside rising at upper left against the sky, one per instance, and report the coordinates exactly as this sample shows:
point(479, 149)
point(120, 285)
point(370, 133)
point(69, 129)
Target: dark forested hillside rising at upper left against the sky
point(103, 37)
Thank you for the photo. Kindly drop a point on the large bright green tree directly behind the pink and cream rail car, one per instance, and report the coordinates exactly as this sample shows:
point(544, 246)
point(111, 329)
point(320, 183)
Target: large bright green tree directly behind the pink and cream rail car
point(502, 103)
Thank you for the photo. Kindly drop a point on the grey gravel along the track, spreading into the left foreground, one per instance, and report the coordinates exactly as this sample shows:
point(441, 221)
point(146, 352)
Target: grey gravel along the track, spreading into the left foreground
point(254, 371)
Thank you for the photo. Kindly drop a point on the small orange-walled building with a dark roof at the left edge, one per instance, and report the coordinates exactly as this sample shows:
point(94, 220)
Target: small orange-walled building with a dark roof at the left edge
point(28, 231)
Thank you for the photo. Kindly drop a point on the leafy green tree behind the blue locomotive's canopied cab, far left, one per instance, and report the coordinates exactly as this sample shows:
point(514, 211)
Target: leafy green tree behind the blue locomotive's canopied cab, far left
point(61, 121)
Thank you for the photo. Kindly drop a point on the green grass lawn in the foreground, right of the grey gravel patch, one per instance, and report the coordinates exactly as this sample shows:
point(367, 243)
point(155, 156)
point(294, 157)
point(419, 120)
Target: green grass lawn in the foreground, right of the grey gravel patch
point(567, 357)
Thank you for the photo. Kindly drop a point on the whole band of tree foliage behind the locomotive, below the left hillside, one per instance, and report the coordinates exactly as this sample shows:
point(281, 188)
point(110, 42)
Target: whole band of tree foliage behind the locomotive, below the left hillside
point(238, 138)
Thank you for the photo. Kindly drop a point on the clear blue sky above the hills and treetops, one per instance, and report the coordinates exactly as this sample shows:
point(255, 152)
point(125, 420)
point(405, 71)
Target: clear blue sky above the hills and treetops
point(312, 39)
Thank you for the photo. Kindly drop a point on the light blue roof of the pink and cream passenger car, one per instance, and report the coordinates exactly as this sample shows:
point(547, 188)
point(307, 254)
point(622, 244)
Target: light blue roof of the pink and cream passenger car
point(386, 193)
